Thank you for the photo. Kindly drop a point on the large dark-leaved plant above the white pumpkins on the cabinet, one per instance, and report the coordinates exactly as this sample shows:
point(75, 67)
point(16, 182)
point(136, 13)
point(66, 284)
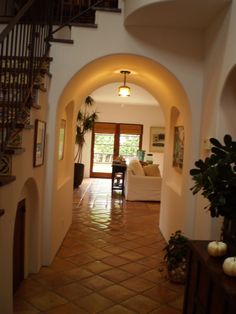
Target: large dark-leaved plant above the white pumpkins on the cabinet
point(215, 178)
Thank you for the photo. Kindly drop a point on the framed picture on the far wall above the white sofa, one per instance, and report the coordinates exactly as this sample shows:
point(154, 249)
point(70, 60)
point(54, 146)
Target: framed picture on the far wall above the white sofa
point(157, 139)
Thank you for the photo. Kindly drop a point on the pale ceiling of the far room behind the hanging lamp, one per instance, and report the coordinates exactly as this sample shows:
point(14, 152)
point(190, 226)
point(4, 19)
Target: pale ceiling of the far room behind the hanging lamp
point(109, 94)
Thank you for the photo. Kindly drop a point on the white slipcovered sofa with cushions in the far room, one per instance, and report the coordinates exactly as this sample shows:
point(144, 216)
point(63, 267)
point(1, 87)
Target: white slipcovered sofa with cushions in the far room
point(142, 183)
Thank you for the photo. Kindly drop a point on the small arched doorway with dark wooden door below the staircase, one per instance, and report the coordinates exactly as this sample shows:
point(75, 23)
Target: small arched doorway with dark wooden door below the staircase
point(26, 238)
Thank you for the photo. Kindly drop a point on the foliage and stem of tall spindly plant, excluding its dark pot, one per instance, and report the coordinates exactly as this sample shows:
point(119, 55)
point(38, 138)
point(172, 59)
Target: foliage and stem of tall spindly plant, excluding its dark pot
point(85, 121)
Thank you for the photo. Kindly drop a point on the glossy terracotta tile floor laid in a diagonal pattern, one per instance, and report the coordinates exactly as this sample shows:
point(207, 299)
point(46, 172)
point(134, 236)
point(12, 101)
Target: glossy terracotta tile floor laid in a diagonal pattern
point(110, 261)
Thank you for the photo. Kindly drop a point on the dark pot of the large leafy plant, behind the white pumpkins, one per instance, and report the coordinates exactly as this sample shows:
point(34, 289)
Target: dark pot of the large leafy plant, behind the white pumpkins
point(229, 235)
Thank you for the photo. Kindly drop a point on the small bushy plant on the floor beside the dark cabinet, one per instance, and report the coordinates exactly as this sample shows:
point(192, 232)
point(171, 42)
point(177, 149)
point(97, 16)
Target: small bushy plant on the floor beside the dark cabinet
point(176, 250)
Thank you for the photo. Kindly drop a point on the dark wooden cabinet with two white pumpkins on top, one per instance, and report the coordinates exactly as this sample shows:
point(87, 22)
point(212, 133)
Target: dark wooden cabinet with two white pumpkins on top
point(208, 289)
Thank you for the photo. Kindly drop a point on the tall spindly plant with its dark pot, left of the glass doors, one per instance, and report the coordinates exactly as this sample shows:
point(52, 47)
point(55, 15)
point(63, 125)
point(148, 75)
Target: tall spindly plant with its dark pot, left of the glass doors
point(85, 121)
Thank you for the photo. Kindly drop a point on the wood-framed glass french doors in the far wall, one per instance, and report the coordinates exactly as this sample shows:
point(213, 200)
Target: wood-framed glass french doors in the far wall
point(110, 140)
